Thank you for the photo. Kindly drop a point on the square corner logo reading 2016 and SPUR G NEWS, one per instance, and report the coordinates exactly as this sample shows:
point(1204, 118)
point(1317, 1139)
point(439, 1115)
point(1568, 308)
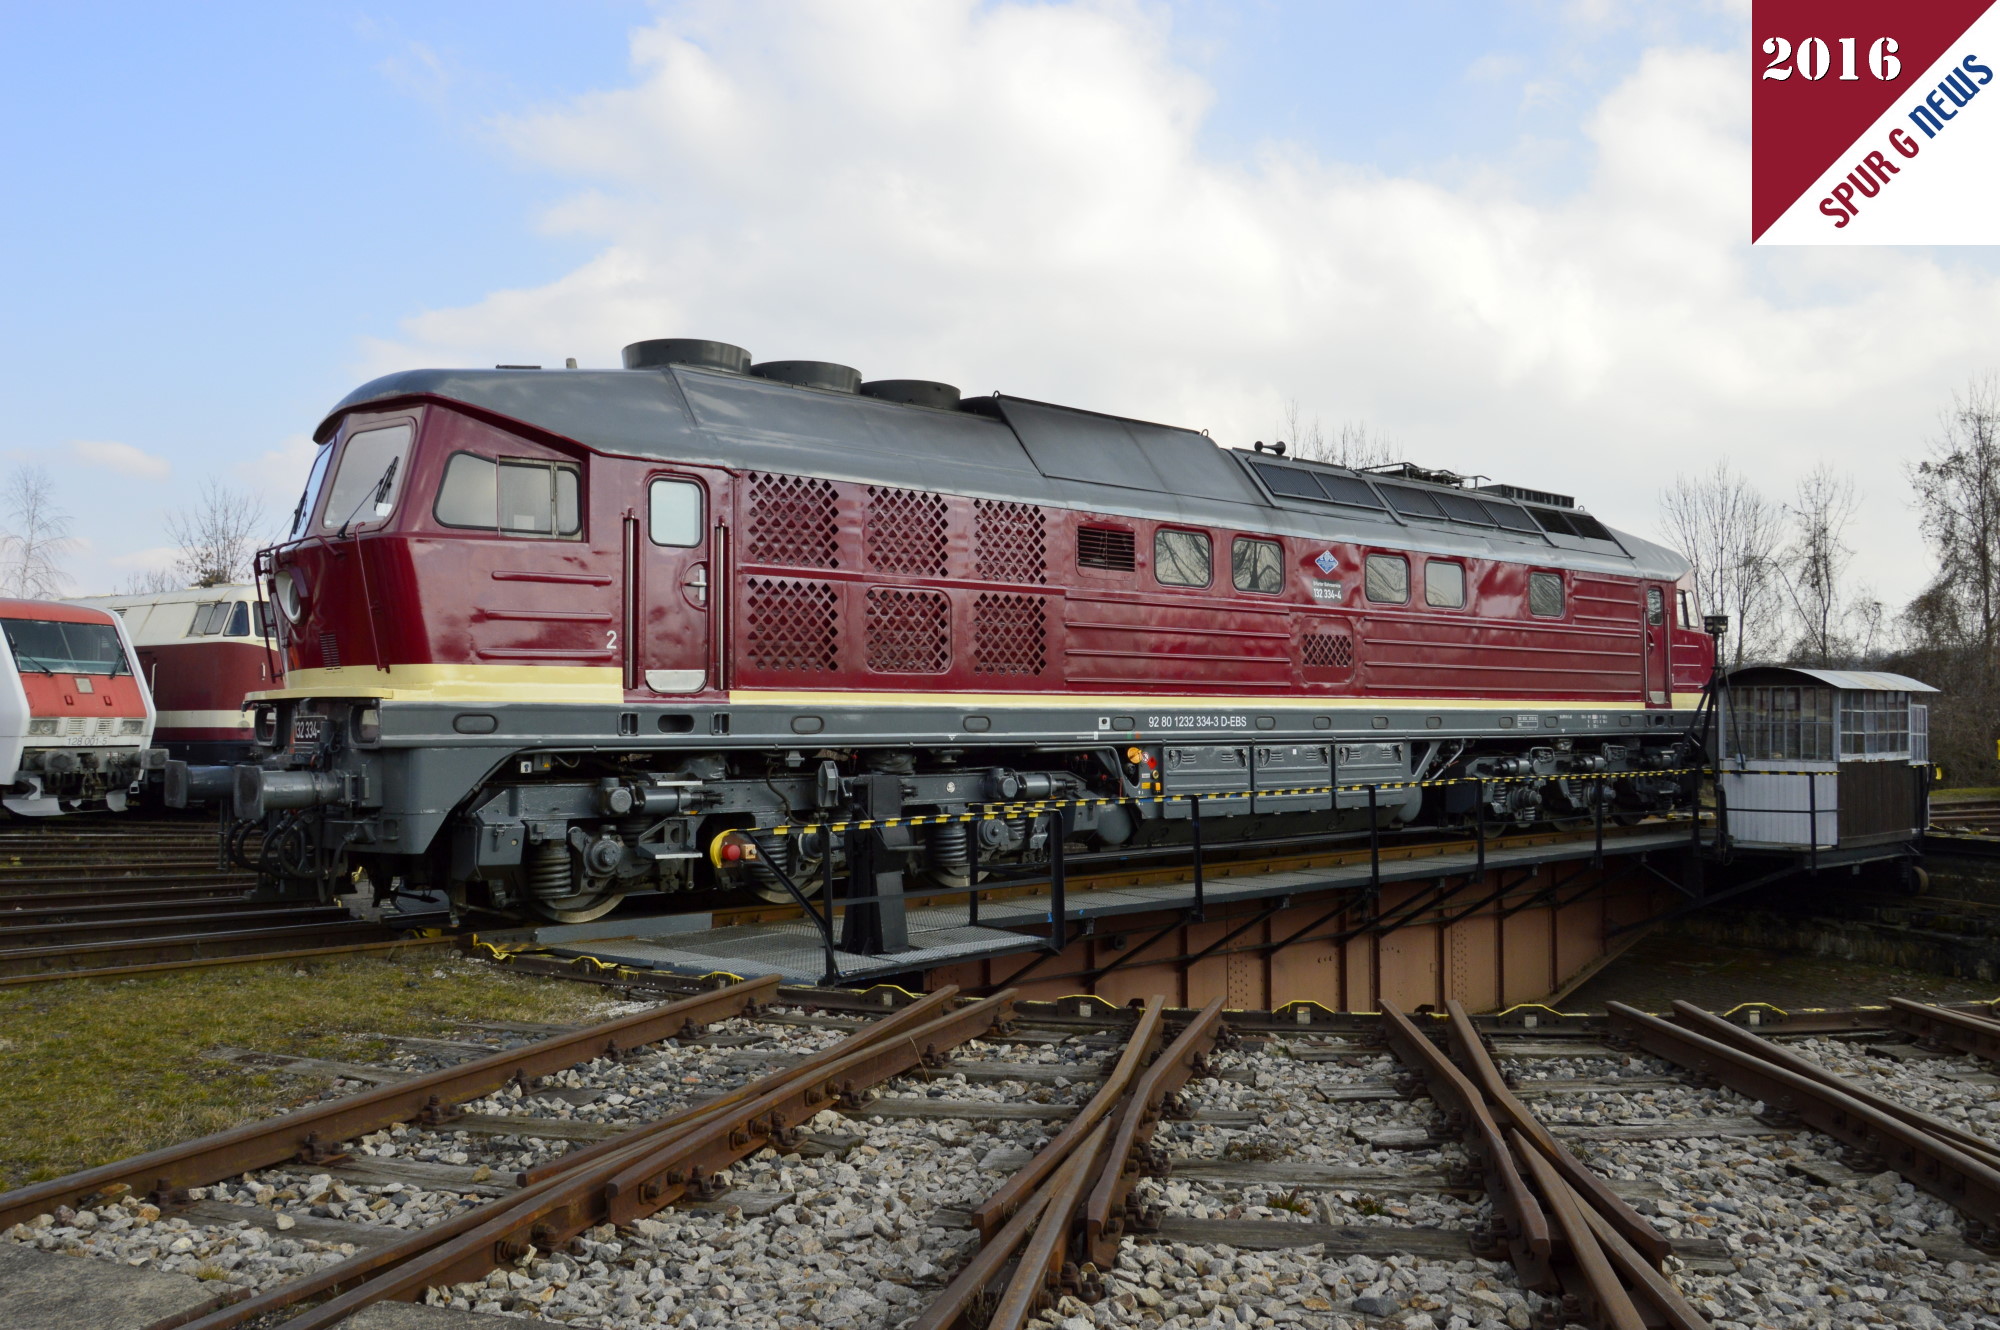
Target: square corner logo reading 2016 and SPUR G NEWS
point(1869, 123)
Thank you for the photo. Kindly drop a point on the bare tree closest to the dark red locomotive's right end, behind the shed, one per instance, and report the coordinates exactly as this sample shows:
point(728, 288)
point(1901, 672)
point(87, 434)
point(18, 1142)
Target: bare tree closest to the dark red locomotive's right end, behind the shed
point(1731, 535)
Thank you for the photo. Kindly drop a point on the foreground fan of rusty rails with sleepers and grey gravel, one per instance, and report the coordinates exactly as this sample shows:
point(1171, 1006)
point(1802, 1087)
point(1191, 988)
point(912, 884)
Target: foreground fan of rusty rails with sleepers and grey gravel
point(755, 1157)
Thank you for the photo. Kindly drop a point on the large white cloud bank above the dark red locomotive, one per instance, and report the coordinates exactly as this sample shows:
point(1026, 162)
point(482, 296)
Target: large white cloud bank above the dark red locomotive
point(1013, 197)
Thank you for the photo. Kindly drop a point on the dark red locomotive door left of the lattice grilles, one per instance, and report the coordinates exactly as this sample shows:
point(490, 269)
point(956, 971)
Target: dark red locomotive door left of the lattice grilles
point(673, 629)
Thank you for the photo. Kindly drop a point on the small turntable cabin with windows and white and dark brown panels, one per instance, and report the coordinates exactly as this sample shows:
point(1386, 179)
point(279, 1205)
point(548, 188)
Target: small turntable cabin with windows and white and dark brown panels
point(1823, 759)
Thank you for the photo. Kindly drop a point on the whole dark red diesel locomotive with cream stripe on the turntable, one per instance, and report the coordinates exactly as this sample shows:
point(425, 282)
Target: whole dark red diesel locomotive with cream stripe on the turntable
point(555, 637)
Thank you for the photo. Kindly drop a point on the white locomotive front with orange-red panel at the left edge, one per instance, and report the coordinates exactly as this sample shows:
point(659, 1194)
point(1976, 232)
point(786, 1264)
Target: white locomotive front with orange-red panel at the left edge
point(75, 715)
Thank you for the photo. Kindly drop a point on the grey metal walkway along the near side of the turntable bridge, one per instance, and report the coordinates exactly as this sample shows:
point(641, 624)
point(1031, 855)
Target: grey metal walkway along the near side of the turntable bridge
point(941, 935)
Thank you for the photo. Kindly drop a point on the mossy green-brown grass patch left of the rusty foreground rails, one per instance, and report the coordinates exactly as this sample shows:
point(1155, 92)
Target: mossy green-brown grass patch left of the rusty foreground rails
point(97, 1071)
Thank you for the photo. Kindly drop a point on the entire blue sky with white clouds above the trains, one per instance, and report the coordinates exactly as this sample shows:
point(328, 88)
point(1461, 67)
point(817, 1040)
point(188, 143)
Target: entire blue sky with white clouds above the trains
point(1507, 235)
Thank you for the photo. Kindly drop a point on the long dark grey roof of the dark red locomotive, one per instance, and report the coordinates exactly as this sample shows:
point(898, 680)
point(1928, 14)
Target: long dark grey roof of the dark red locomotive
point(997, 447)
